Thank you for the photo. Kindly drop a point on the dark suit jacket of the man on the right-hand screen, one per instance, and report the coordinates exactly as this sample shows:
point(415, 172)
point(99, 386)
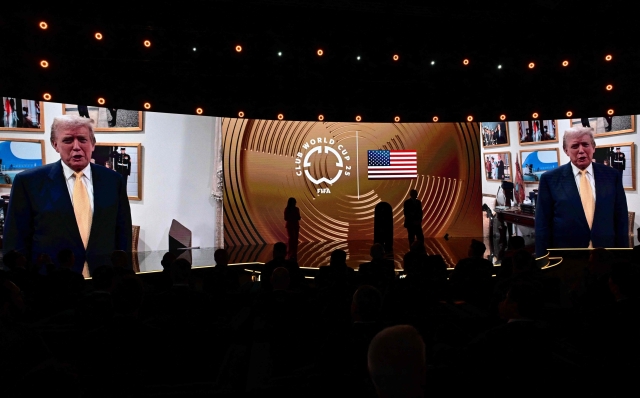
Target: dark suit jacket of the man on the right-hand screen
point(560, 219)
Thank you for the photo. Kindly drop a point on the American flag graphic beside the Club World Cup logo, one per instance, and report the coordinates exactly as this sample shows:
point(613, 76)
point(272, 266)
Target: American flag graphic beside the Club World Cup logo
point(386, 165)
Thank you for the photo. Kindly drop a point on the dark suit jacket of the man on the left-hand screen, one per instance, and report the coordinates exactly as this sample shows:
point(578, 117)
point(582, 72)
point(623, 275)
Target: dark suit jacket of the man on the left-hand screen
point(40, 218)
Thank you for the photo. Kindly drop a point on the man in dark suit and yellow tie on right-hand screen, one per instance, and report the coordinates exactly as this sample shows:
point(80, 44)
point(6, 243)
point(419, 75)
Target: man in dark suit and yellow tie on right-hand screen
point(581, 204)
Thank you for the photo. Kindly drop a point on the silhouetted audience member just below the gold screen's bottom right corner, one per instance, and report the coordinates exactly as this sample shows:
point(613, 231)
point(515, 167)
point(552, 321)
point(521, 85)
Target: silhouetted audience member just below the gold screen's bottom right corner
point(471, 278)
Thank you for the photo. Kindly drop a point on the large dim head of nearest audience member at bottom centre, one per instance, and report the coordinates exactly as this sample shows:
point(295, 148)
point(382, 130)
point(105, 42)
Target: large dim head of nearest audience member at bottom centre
point(396, 361)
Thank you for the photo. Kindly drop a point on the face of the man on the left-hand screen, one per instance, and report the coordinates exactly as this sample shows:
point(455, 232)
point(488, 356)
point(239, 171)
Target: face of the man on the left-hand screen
point(75, 147)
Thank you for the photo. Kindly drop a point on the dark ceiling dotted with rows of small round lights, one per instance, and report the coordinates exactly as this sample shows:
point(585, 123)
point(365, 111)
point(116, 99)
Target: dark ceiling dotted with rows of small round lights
point(300, 84)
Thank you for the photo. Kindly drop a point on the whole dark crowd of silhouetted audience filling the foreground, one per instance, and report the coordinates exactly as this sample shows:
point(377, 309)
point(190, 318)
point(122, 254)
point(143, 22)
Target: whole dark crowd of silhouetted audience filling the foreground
point(422, 329)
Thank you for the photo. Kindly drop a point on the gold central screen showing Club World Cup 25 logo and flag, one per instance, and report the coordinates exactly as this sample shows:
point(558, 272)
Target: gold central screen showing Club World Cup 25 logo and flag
point(339, 172)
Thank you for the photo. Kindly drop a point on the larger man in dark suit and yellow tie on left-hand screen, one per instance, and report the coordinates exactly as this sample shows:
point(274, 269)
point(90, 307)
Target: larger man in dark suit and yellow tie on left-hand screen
point(70, 204)
